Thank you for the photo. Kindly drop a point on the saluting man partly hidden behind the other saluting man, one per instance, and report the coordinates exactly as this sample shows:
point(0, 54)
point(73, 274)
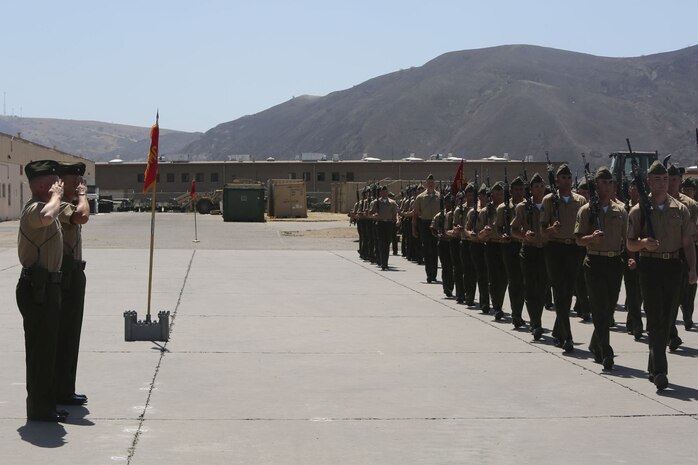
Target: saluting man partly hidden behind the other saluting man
point(74, 212)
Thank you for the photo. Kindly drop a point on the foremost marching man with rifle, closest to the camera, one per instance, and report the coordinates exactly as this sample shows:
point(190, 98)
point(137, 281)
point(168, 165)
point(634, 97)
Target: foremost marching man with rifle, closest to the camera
point(657, 232)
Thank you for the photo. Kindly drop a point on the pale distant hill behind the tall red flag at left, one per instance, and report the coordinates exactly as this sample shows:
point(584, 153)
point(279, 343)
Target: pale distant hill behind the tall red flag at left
point(96, 140)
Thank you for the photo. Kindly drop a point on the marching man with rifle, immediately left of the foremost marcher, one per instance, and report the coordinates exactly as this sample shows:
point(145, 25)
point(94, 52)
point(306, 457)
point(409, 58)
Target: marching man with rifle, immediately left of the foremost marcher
point(602, 232)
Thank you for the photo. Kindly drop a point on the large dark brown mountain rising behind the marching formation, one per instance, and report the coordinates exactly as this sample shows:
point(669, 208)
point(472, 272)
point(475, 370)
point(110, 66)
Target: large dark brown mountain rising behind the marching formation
point(518, 99)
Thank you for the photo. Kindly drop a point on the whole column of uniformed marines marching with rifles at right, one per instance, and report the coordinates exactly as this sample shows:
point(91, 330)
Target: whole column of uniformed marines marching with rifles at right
point(574, 238)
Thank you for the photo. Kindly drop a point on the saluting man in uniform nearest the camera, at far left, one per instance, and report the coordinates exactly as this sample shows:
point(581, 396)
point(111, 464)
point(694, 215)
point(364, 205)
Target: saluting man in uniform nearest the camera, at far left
point(40, 250)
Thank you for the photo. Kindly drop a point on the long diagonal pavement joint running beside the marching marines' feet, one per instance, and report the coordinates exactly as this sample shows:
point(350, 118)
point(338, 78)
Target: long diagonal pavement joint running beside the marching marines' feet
point(536, 344)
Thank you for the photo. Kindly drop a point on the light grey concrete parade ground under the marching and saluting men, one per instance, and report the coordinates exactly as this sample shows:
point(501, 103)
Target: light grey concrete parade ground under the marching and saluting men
point(289, 349)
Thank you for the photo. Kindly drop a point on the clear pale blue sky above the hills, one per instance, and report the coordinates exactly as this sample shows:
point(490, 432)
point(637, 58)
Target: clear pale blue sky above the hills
point(203, 62)
